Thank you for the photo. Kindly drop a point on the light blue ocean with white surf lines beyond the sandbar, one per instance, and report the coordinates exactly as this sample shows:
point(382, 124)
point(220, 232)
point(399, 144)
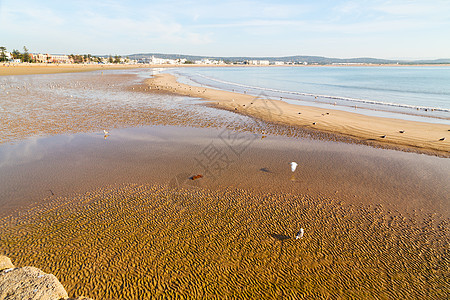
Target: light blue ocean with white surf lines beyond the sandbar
point(419, 93)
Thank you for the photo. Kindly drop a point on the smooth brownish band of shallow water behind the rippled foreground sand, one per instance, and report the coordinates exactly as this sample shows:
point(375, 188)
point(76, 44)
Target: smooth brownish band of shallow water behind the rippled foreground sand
point(34, 169)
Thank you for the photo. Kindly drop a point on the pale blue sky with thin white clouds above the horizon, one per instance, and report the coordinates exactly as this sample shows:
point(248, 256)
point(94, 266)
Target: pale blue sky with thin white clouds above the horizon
point(390, 29)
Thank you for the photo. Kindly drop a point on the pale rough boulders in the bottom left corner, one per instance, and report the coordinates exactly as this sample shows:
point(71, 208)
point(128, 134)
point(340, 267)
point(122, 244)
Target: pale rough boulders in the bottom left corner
point(29, 283)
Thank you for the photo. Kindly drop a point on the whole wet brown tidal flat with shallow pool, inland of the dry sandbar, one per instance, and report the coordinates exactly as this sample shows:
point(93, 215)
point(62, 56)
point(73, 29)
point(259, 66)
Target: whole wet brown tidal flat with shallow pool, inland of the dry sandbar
point(118, 217)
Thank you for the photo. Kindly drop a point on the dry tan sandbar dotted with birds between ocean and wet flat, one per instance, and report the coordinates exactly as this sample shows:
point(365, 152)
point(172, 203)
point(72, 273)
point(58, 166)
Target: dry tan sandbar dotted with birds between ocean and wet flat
point(418, 136)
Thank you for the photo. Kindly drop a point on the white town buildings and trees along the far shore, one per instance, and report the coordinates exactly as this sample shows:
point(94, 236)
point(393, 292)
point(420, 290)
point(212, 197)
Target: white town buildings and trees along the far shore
point(15, 56)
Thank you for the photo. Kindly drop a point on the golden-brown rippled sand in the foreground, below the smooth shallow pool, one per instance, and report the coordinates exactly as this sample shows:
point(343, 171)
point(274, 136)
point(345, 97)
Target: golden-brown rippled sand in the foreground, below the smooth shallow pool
point(135, 242)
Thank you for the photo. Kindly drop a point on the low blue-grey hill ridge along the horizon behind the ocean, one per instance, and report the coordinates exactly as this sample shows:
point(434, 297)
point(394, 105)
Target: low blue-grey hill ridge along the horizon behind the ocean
point(298, 58)
